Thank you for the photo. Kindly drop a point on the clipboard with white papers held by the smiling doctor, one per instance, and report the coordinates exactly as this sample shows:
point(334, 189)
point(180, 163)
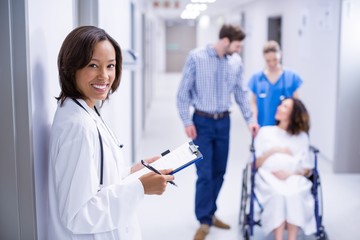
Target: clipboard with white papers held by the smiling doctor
point(178, 159)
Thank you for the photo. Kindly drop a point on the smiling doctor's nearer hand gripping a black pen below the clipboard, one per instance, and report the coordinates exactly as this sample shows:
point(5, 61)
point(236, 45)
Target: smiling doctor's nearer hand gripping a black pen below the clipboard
point(154, 183)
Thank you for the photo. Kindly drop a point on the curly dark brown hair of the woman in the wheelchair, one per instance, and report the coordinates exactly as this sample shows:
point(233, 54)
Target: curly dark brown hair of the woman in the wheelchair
point(299, 118)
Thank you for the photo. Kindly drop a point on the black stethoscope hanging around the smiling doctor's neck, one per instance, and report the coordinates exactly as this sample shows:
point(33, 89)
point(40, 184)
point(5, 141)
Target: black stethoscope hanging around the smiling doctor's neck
point(100, 140)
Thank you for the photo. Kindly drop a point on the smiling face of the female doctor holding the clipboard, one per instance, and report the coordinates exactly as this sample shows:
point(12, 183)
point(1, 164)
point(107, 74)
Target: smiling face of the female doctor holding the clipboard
point(95, 79)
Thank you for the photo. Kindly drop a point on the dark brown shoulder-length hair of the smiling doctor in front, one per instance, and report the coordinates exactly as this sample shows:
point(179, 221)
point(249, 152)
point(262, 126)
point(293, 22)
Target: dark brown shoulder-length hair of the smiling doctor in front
point(76, 52)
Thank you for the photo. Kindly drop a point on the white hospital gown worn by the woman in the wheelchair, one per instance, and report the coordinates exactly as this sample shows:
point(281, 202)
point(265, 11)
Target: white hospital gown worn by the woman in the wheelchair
point(284, 200)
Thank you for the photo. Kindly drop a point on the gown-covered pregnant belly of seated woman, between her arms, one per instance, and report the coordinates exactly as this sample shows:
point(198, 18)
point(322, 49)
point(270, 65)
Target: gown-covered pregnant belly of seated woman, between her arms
point(280, 161)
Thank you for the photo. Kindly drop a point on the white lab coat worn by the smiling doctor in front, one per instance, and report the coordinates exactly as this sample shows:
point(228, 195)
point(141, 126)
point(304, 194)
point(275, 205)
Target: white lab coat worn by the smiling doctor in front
point(77, 209)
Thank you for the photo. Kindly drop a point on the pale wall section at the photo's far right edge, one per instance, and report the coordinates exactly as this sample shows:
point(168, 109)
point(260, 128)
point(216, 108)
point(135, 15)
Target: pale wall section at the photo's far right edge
point(347, 147)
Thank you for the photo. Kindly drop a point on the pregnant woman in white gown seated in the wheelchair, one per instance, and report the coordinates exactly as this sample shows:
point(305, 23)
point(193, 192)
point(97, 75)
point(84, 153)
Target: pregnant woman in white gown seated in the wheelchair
point(283, 163)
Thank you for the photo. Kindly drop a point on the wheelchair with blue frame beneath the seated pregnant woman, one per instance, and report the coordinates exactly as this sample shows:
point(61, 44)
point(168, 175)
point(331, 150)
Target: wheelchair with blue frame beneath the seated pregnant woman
point(249, 201)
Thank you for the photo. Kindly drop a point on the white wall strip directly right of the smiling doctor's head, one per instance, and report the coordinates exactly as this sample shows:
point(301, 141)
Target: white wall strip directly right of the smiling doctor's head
point(118, 111)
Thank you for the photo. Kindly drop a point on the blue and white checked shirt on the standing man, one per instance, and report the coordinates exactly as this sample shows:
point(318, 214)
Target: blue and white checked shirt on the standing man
point(208, 82)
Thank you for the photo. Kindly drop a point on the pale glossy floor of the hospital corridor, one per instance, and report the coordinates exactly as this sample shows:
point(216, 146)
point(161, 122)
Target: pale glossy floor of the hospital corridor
point(171, 216)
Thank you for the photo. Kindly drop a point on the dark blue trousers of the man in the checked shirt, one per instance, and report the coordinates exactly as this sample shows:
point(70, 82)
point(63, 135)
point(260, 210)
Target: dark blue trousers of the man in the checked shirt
point(213, 141)
